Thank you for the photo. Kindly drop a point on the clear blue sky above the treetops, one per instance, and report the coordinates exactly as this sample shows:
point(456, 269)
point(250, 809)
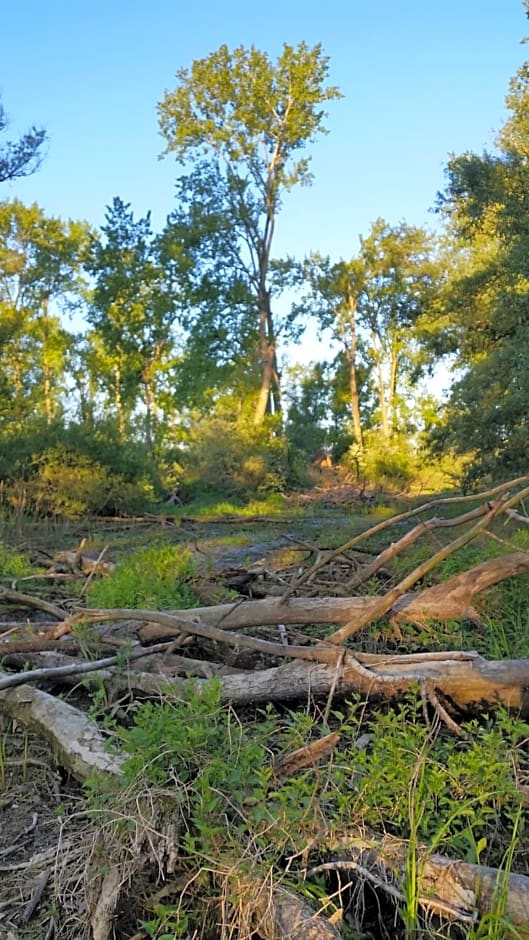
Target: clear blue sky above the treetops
point(421, 79)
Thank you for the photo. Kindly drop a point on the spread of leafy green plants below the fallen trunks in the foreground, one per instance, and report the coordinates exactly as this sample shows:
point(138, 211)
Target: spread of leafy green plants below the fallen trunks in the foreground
point(237, 817)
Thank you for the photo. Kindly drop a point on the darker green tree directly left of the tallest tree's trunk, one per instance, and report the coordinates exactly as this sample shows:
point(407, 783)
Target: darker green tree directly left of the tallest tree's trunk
point(201, 264)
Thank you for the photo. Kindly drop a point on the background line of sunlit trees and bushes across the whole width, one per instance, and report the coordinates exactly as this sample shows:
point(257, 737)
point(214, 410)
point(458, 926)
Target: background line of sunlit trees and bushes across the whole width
point(129, 350)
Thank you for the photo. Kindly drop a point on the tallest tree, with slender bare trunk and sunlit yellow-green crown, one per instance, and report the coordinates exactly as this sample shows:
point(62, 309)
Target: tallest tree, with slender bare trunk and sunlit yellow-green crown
point(251, 118)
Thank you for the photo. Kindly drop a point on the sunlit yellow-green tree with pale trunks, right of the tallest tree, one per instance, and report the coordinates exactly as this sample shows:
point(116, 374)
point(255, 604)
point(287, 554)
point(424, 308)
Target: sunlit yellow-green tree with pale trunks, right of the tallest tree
point(372, 305)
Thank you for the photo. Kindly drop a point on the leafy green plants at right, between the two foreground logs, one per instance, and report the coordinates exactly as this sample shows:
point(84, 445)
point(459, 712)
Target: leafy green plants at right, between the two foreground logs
point(464, 792)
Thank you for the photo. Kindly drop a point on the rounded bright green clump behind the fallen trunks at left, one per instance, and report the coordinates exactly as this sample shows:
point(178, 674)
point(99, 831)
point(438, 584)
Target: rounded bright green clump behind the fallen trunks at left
point(158, 577)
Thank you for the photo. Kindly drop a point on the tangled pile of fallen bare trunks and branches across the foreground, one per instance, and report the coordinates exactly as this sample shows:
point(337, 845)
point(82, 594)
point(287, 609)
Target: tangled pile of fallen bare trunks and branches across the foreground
point(154, 801)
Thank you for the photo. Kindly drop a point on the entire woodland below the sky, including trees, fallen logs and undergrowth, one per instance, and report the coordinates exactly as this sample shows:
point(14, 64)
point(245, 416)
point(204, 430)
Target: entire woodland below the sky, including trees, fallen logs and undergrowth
point(264, 625)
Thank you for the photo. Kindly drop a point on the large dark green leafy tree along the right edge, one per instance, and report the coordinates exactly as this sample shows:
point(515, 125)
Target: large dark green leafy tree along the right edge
point(486, 206)
